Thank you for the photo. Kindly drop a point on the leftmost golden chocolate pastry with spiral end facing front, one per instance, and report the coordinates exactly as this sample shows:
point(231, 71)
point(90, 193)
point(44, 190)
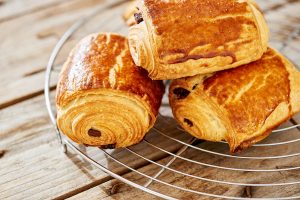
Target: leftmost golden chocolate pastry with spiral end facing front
point(102, 98)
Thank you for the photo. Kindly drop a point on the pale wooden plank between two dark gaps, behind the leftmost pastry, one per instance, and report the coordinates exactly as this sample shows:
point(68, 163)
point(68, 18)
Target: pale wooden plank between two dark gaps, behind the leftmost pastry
point(26, 67)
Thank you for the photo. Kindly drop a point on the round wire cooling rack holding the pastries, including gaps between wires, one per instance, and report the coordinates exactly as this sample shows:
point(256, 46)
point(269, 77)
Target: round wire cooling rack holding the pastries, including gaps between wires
point(182, 164)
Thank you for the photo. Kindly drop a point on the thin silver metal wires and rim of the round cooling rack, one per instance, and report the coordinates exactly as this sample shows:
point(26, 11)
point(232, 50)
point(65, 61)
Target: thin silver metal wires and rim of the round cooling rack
point(189, 145)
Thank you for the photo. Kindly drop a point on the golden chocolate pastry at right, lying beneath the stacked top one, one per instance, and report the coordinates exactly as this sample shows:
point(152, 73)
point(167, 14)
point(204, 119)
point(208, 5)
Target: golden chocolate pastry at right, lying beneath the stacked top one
point(242, 105)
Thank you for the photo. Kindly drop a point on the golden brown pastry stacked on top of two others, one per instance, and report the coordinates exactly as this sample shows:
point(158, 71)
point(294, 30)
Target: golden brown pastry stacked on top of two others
point(180, 38)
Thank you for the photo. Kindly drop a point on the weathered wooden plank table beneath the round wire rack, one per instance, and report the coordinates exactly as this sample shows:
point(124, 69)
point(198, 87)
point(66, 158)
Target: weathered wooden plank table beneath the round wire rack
point(32, 165)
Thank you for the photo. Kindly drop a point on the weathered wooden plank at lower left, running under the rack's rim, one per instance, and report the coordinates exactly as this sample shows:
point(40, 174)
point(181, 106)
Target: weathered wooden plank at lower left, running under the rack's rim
point(33, 166)
